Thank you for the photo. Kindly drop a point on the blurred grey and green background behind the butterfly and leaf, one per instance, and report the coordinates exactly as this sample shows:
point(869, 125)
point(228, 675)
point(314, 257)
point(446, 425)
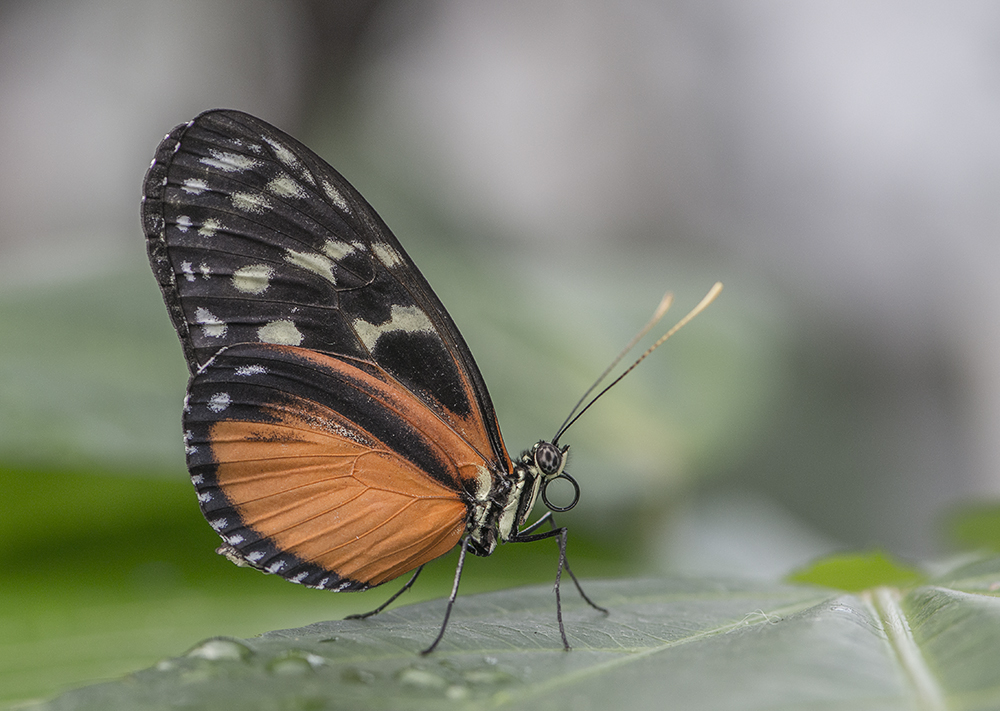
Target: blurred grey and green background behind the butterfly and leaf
point(553, 171)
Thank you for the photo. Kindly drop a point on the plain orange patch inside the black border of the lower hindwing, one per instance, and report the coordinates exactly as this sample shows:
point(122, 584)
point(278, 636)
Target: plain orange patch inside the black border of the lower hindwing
point(363, 513)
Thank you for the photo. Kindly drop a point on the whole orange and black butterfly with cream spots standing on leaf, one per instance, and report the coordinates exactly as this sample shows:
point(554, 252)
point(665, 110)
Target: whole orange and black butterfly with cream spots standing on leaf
point(338, 431)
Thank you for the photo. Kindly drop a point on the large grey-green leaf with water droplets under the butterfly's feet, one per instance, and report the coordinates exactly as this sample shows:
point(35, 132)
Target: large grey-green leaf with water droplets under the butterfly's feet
point(672, 642)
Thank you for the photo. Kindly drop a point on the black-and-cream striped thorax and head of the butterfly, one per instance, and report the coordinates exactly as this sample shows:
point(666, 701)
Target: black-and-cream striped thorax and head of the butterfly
point(513, 497)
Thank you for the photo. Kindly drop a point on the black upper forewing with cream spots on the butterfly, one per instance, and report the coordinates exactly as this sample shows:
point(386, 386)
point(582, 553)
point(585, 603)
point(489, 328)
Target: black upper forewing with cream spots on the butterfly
point(255, 239)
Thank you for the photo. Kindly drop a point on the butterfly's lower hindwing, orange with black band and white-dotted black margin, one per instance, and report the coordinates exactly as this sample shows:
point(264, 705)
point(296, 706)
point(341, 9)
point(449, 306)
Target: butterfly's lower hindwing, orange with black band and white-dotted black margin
point(322, 469)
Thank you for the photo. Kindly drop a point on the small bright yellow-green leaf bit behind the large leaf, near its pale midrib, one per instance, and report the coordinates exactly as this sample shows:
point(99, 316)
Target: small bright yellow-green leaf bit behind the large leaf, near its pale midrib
point(858, 571)
